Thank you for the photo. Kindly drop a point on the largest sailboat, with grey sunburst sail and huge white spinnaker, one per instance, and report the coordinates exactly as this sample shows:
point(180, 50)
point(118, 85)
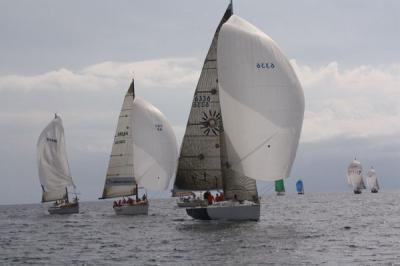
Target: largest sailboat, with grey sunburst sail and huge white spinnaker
point(244, 124)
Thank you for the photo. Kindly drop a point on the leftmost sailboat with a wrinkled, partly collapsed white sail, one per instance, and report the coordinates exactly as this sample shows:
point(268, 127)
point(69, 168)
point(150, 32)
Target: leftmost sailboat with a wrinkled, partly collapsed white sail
point(54, 172)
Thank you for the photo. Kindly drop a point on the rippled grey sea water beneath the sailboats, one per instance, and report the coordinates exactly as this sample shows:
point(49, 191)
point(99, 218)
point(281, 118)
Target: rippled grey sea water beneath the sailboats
point(312, 229)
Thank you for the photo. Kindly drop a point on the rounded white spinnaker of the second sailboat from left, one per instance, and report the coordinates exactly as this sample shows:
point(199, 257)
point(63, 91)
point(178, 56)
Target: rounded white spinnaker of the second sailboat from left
point(155, 150)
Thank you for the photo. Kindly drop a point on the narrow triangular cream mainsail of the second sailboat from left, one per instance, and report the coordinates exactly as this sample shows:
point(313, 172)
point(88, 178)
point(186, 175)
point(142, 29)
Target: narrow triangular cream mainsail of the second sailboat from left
point(120, 177)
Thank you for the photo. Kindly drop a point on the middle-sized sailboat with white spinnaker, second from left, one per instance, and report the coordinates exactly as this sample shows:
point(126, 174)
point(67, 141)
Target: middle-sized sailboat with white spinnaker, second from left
point(143, 156)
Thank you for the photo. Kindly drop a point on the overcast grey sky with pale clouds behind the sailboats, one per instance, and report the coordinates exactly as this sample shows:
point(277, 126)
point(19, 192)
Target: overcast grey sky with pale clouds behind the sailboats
point(77, 58)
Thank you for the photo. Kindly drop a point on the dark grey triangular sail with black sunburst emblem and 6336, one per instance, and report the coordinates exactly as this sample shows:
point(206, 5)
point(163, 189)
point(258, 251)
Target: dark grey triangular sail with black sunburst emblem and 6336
point(199, 166)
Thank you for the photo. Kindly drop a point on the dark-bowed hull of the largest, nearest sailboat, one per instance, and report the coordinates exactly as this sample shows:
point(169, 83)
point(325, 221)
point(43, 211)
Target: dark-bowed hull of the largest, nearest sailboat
point(228, 211)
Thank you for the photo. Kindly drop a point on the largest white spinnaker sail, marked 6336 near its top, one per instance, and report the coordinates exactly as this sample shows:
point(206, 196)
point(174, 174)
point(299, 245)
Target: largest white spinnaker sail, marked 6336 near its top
point(262, 102)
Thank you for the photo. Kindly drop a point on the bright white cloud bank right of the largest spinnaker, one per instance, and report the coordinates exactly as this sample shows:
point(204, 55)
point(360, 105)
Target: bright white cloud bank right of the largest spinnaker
point(359, 102)
